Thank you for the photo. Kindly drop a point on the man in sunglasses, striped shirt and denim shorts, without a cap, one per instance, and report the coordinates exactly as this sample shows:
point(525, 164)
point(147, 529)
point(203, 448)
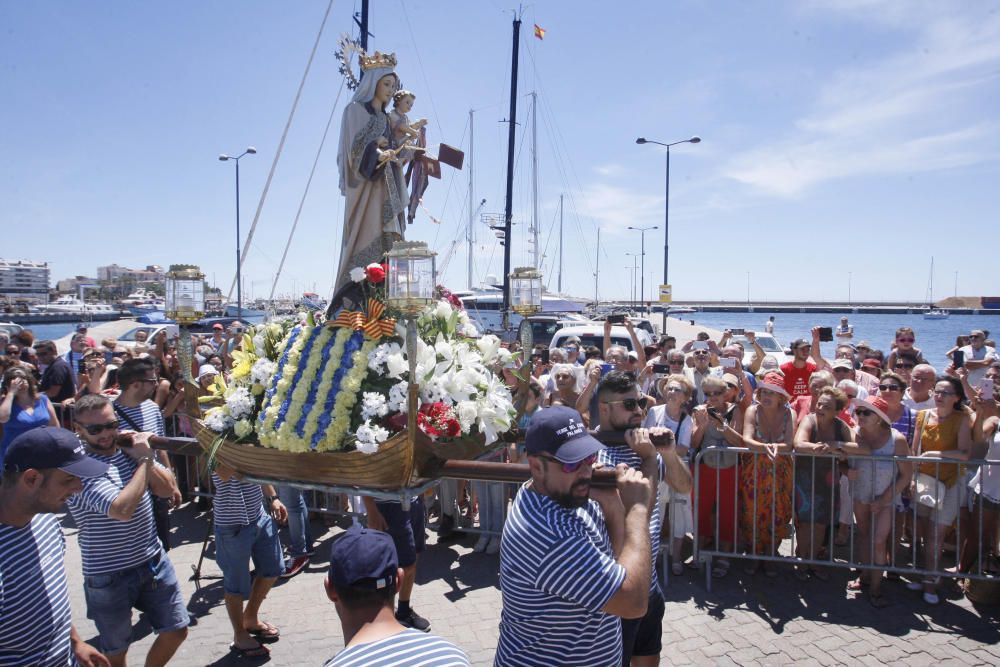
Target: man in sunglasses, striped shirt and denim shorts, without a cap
point(124, 565)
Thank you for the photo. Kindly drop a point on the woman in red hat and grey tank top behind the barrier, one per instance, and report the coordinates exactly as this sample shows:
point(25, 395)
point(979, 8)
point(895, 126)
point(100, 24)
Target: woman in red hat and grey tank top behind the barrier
point(874, 488)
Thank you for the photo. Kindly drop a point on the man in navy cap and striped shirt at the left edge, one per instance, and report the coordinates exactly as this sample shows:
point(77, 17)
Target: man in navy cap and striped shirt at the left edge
point(41, 470)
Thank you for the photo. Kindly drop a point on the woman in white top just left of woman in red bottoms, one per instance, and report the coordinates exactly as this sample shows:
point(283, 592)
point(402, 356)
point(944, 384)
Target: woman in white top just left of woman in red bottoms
point(672, 414)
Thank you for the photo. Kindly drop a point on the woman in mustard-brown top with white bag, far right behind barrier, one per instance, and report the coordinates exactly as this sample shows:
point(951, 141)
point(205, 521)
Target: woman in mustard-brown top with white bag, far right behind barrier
point(944, 436)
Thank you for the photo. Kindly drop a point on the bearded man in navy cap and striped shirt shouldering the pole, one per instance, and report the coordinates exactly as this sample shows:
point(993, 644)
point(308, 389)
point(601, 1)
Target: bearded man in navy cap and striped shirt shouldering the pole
point(572, 566)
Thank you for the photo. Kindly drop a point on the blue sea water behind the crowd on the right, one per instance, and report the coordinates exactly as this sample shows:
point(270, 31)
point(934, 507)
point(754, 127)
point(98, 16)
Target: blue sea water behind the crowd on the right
point(934, 337)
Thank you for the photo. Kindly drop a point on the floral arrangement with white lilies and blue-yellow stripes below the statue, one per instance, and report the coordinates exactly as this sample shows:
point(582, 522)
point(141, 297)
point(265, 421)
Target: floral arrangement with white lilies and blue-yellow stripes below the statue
point(343, 385)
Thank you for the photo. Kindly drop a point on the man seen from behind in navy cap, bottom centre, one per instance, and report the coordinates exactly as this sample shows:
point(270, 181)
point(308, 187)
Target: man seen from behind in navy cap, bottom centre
point(362, 582)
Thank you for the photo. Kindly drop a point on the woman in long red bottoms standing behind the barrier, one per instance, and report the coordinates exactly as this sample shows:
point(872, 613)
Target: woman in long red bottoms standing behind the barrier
point(714, 431)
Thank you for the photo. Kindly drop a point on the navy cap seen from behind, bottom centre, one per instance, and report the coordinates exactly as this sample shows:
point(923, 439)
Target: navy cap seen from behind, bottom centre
point(364, 558)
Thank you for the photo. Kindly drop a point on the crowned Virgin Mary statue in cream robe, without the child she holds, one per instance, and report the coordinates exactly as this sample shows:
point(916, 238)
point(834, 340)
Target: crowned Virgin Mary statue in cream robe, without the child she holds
point(371, 178)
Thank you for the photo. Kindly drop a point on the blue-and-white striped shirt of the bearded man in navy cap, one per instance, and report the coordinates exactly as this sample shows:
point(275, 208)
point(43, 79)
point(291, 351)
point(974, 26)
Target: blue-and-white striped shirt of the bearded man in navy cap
point(557, 572)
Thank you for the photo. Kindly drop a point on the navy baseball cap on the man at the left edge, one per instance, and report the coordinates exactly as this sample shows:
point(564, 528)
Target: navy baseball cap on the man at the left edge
point(51, 447)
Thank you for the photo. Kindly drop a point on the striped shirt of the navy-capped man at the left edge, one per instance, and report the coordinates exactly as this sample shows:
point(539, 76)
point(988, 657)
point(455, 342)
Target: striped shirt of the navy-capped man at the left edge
point(34, 601)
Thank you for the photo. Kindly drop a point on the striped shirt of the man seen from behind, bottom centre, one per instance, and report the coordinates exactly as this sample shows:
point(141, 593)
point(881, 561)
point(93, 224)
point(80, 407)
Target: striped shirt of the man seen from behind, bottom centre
point(409, 647)
